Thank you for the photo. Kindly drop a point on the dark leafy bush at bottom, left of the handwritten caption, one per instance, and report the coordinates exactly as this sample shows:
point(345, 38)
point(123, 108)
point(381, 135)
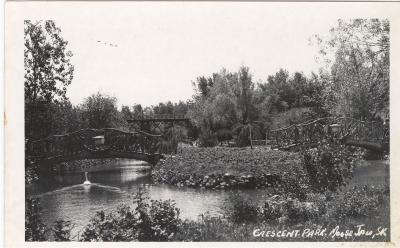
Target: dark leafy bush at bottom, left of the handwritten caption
point(156, 222)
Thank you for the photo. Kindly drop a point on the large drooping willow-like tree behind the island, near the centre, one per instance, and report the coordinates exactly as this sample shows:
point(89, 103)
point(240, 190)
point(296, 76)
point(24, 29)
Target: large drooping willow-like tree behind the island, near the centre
point(226, 108)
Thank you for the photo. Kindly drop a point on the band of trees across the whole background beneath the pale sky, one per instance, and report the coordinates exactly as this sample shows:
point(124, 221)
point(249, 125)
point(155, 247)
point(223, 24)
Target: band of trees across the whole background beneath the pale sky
point(226, 106)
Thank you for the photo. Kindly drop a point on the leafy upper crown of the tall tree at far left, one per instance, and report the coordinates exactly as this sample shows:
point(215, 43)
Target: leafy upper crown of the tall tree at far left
point(48, 70)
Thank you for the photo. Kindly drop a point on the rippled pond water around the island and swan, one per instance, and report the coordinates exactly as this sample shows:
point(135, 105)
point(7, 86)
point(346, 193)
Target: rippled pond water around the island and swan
point(65, 196)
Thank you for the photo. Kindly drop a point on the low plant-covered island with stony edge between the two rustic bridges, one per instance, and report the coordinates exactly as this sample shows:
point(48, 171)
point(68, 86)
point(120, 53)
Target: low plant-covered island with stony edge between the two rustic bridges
point(327, 167)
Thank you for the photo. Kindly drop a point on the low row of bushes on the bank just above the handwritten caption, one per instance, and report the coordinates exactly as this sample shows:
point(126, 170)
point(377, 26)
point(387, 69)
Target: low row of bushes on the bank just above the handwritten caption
point(356, 202)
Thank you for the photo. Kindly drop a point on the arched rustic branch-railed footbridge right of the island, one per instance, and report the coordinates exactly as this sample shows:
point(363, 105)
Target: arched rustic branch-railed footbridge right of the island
point(374, 136)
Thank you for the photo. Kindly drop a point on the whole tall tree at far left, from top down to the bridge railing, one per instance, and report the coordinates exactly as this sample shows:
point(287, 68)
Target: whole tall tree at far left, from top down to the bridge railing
point(48, 72)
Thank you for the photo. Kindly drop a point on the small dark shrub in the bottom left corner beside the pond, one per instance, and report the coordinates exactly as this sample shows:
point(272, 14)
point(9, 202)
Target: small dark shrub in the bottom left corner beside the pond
point(35, 230)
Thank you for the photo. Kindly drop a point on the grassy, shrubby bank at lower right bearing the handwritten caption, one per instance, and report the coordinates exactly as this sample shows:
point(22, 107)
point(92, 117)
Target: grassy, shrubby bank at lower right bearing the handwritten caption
point(359, 213)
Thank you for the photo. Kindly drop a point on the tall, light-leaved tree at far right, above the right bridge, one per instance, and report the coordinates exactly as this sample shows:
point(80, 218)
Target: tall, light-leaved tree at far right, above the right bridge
point(357, 52)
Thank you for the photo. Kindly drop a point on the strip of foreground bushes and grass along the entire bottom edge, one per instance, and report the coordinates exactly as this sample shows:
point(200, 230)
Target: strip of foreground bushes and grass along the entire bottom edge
point(155, 220)
